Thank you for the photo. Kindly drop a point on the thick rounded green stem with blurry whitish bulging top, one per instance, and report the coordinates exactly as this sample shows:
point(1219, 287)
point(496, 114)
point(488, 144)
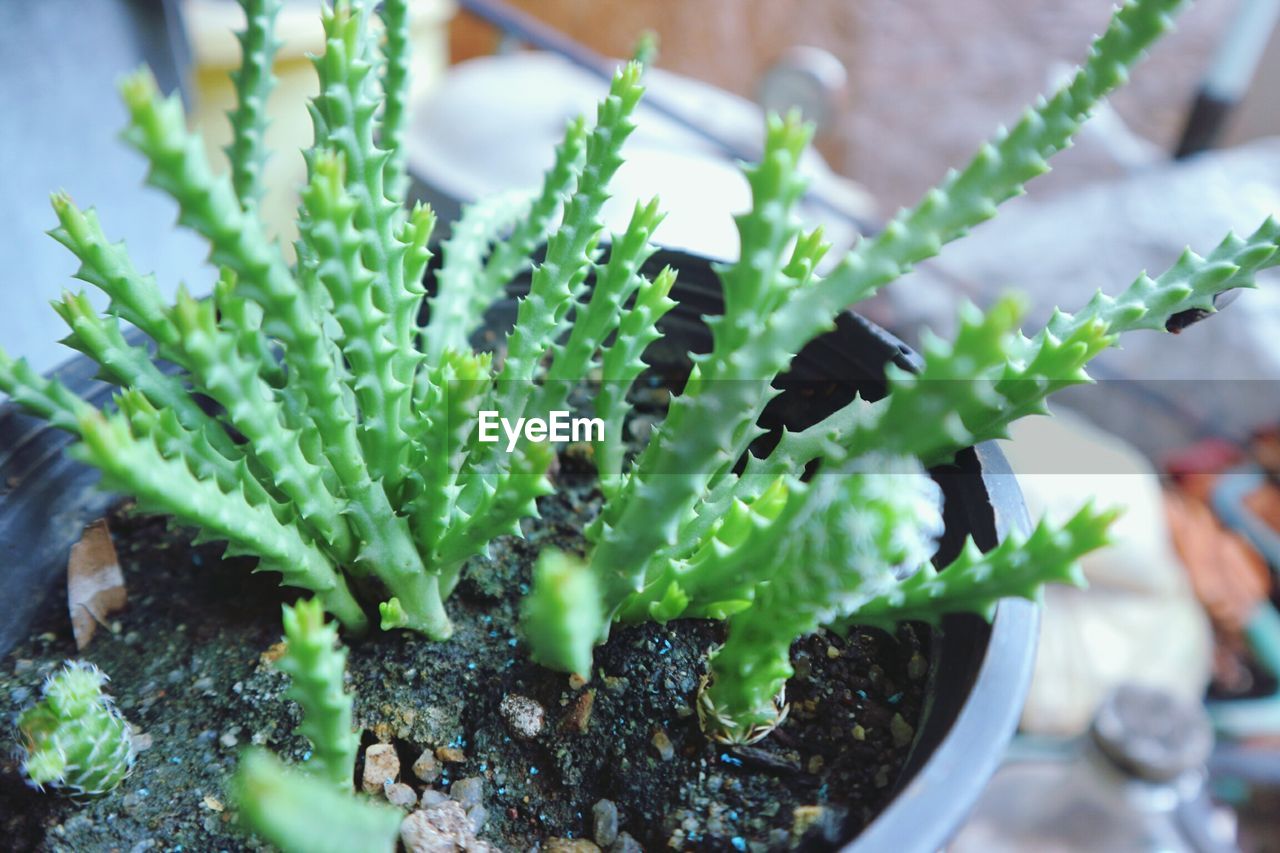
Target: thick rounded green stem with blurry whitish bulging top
point(840, 541)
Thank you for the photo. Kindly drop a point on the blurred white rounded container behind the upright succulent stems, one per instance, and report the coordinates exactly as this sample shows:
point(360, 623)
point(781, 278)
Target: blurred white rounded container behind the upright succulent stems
point(493, 124)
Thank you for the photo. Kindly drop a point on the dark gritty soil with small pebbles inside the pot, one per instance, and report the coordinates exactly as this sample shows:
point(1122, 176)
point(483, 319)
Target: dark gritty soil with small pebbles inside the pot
point(190, 667)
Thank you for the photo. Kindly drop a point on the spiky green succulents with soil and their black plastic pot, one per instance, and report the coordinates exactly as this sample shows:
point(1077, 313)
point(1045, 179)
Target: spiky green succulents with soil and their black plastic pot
point(621, 591)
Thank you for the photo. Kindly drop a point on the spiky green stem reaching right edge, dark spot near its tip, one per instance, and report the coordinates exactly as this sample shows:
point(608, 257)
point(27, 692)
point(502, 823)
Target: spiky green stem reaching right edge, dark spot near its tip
point(991, 376)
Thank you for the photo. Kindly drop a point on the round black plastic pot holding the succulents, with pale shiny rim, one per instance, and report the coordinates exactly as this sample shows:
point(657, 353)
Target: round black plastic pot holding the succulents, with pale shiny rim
point(980, 673)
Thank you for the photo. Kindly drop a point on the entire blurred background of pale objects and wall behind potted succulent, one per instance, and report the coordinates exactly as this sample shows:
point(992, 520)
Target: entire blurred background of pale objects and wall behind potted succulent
point(1186, 432)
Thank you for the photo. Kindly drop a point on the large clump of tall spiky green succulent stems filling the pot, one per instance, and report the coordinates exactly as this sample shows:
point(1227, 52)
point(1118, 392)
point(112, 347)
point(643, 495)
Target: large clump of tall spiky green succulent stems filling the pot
point(344, 449)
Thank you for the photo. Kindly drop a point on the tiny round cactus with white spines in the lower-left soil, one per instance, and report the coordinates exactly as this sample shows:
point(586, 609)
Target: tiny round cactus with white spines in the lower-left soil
point(76, 741)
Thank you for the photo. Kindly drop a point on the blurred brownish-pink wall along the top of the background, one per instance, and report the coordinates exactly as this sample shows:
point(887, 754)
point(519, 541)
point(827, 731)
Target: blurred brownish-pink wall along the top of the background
point(929, 79)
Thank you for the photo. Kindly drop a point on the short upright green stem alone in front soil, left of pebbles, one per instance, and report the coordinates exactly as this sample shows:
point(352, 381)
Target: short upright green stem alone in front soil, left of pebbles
point(316, 665)
